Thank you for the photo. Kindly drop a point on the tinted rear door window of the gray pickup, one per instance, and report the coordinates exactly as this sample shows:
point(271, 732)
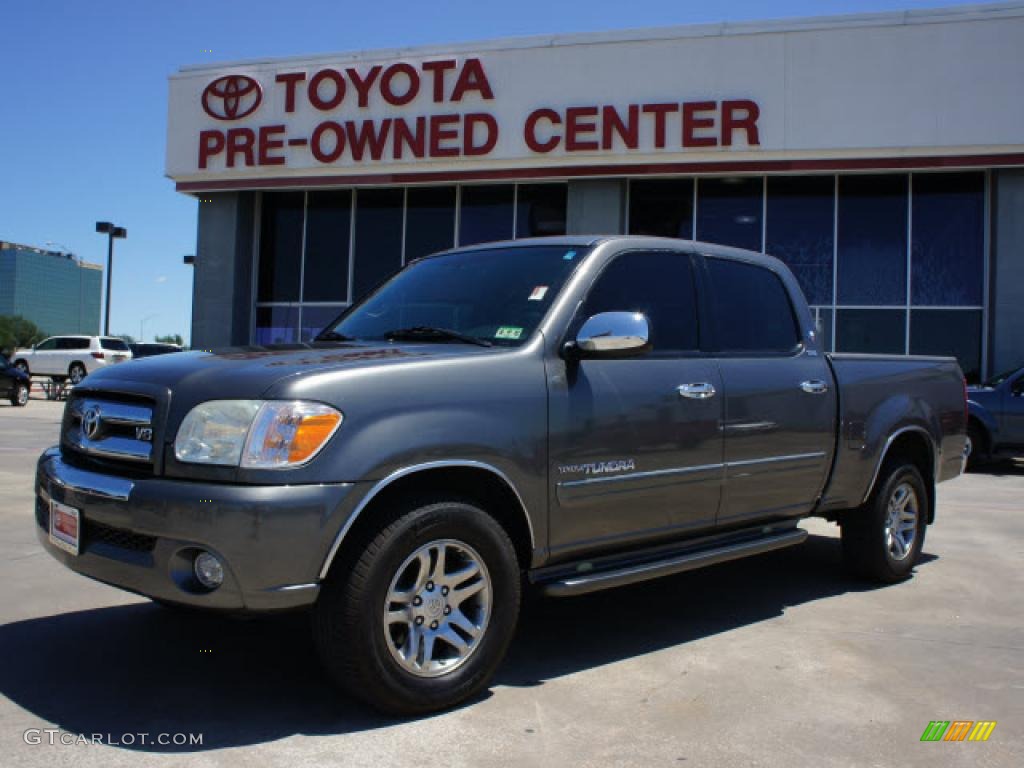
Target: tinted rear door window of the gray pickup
point(752, 310)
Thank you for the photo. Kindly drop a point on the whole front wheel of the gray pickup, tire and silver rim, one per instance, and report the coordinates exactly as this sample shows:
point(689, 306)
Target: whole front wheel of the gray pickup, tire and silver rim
point(423, 616)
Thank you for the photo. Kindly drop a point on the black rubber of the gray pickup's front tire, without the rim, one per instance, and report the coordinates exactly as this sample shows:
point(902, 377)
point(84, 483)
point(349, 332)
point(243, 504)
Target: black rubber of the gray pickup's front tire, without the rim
point(349, 617)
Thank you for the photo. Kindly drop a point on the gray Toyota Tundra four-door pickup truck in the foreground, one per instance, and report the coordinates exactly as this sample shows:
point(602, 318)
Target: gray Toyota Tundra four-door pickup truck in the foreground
point(568, 414)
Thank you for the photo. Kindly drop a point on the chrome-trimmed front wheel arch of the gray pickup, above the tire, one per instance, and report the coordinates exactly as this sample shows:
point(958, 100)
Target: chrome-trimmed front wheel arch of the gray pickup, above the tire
point(476, 482)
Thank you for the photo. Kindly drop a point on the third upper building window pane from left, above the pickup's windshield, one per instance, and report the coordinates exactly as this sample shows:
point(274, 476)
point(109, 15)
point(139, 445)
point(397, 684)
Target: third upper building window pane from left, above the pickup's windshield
point(379, 216)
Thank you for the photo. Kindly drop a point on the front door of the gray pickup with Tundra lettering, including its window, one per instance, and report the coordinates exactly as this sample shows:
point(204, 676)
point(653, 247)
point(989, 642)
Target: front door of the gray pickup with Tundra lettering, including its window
point(633, 459)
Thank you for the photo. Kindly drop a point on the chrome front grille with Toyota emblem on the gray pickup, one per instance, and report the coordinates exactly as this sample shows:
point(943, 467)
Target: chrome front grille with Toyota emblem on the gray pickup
point(112, 432)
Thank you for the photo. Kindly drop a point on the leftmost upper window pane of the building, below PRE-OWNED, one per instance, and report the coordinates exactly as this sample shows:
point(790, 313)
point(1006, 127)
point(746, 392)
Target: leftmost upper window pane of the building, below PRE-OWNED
point(281, 247)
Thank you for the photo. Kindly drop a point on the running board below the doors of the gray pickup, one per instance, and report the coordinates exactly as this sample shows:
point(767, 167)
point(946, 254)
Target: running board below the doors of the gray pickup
point(582, 584)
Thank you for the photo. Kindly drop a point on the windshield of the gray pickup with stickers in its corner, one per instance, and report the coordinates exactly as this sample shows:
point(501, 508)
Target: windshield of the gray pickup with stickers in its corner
point(499, 296)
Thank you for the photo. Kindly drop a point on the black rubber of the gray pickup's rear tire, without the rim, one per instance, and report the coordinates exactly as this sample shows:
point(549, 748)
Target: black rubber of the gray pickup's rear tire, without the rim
point(867, 548)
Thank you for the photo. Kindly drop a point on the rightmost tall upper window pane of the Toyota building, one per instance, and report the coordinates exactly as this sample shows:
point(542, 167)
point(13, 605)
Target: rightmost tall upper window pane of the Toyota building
point(949, 246)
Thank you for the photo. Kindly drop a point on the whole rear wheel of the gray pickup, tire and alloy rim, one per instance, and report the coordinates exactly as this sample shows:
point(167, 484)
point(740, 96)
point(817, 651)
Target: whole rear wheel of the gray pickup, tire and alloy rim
point(883, 540)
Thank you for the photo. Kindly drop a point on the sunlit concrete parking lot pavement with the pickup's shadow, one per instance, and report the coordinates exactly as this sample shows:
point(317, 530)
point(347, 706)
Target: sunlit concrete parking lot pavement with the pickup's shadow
point(780, 660)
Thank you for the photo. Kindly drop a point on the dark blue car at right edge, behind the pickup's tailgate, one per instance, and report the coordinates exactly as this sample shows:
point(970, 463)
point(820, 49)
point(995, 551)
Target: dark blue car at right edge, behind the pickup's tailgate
point(997, 417)
